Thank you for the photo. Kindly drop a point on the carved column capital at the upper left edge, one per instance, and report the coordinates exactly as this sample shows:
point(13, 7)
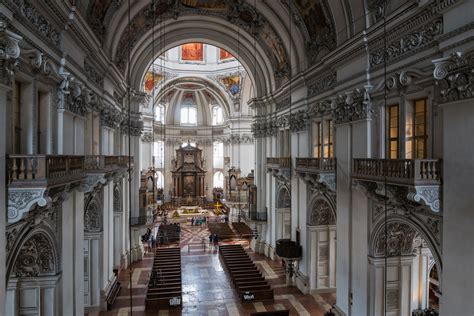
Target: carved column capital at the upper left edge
point(9, 52)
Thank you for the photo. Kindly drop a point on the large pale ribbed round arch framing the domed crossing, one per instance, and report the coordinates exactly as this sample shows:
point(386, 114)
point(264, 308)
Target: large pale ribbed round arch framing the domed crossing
point(213, 31)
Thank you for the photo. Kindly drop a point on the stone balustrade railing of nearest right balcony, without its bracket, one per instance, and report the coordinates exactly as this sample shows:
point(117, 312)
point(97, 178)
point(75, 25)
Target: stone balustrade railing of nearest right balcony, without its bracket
point(402, 171)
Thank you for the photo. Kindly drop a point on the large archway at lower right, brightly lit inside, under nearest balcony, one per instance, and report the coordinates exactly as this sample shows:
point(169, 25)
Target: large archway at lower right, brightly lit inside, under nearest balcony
point(404, 252)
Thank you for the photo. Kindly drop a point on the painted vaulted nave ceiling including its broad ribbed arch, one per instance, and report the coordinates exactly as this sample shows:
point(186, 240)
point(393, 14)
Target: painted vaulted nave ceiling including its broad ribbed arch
point(258, 32)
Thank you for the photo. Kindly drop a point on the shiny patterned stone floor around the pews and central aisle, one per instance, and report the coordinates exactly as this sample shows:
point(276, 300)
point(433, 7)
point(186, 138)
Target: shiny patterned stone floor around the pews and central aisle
point(207, 289)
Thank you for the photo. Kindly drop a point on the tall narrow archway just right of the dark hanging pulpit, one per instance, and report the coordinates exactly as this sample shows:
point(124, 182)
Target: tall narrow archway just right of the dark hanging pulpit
point(321, 231)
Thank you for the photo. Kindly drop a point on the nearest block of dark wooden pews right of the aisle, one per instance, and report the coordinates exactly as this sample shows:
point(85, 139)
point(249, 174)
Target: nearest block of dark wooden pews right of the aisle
point(249, 282)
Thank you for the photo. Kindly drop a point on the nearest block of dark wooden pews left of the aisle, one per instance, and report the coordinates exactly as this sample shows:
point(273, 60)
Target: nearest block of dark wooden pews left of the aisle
point(164, 288)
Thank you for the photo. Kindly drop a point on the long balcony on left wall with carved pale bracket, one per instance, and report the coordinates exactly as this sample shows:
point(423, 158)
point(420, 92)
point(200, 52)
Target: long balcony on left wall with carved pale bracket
point(35, 180)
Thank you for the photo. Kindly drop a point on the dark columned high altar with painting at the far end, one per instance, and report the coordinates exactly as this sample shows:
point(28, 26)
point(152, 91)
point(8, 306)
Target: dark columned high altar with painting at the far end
point(188, 173)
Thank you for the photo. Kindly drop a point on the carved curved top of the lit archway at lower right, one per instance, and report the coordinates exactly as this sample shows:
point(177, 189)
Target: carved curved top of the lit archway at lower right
point(409, 228)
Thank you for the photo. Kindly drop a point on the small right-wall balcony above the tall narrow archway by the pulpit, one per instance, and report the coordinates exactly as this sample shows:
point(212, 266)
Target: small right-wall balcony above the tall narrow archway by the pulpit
point(317, 172)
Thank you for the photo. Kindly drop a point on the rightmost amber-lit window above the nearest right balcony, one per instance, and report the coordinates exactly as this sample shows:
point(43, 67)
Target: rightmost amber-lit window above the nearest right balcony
point(416, 137)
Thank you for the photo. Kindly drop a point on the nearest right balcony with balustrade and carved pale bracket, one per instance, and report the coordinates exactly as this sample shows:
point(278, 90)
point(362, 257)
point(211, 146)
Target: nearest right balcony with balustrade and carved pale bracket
point(422, 177)
